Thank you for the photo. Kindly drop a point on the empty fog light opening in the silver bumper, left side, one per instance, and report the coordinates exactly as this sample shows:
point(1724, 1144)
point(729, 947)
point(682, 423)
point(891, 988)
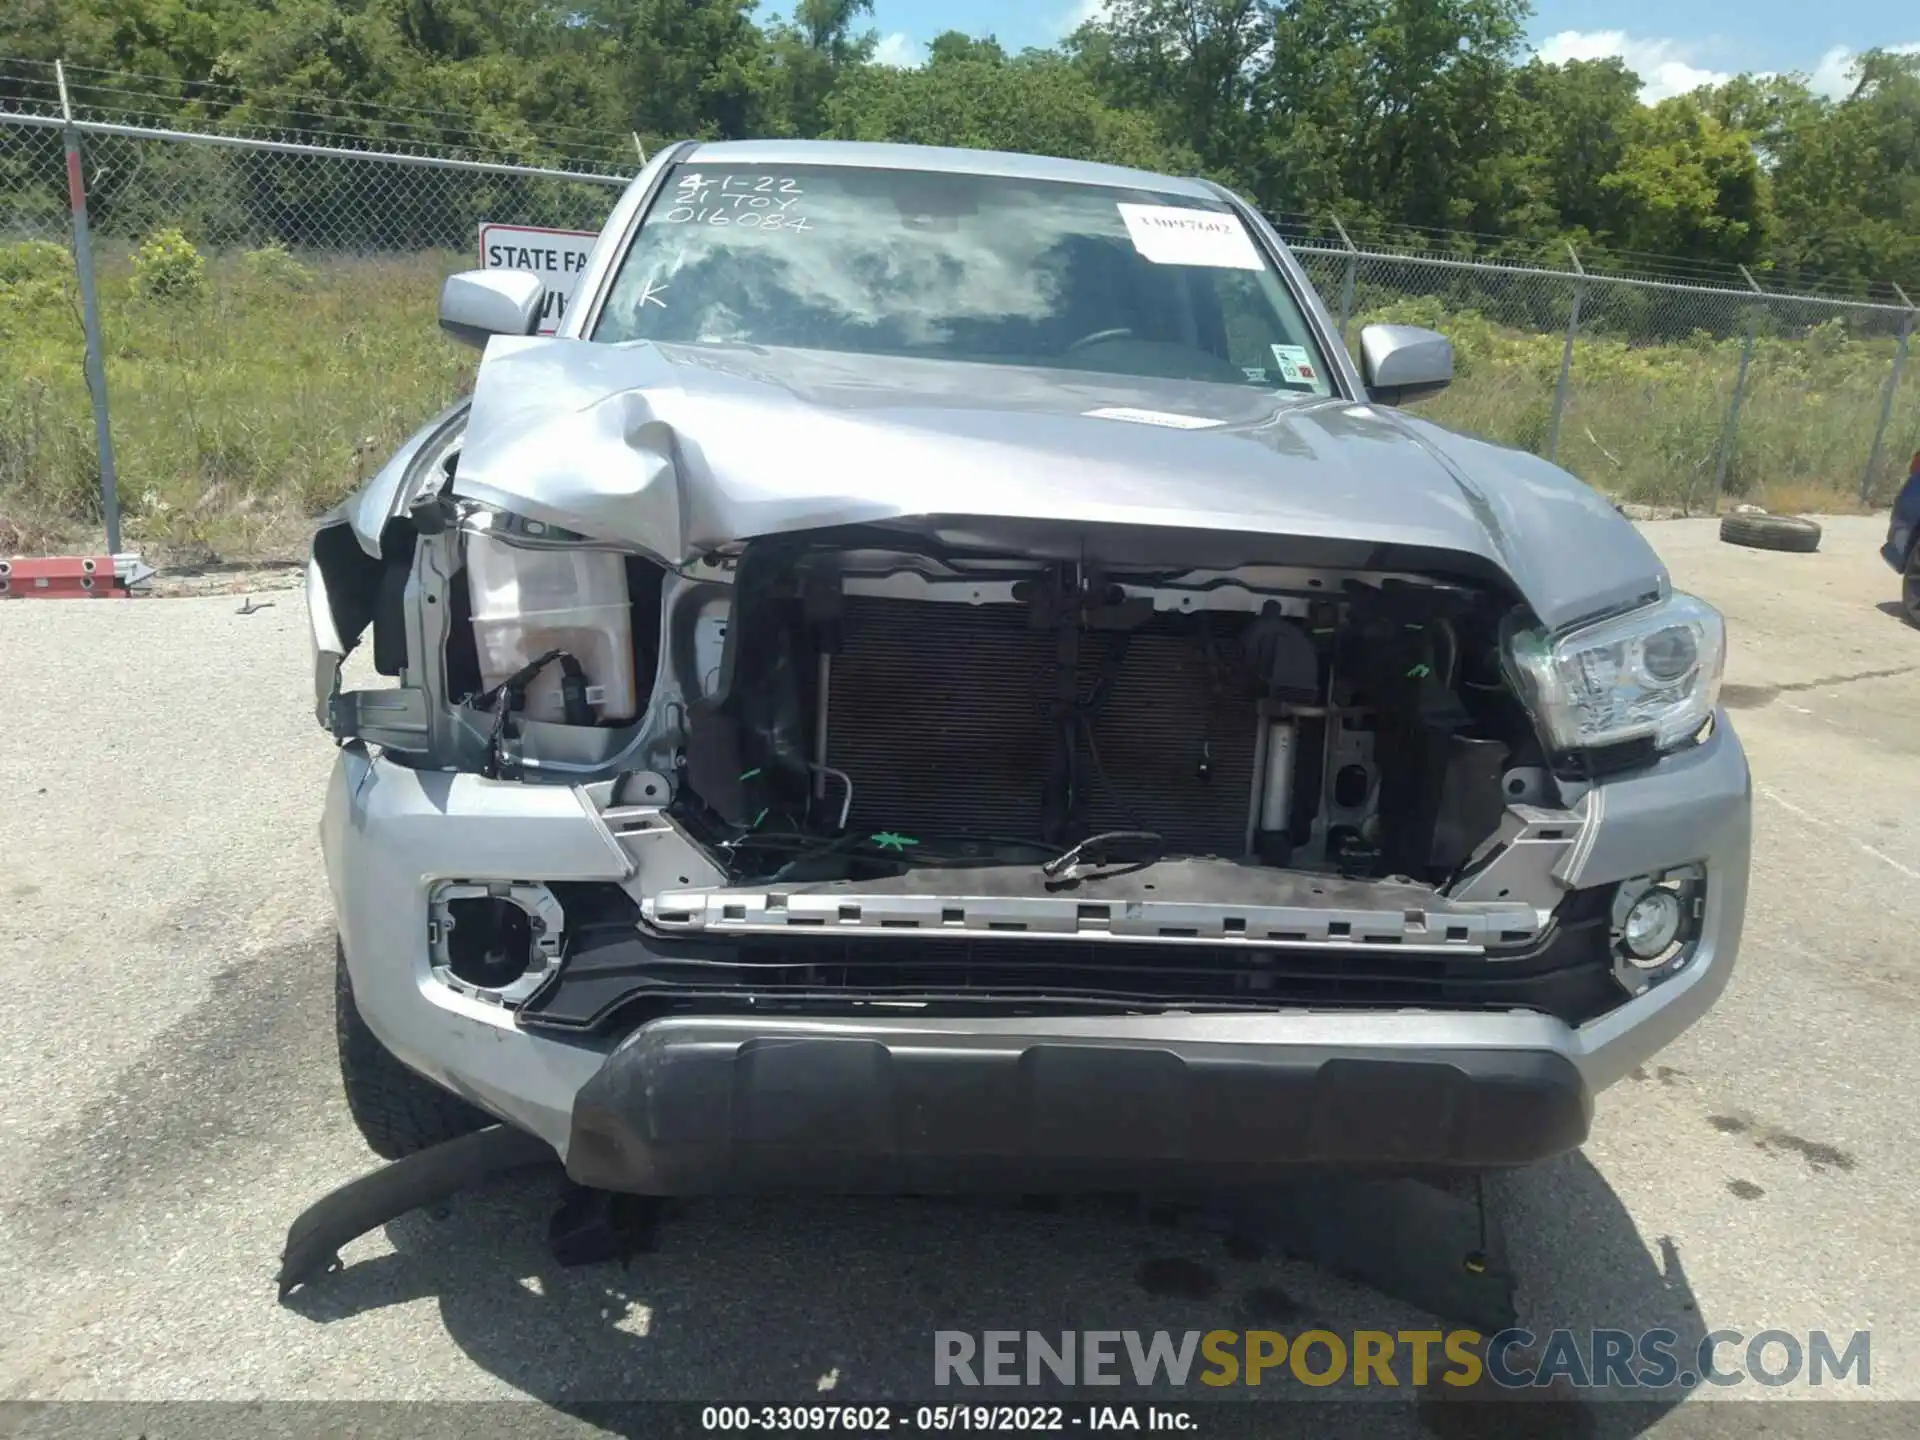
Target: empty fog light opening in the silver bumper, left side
point(496, 942)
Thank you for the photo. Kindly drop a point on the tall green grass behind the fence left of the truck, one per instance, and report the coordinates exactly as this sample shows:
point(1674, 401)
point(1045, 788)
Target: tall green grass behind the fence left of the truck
point(239, 412)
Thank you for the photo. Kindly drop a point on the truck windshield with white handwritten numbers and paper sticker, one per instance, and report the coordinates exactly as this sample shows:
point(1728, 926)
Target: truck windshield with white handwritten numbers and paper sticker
point(965, 268)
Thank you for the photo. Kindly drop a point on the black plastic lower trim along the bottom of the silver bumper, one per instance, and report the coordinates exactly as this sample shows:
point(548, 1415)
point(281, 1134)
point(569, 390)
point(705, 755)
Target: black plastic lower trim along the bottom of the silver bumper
point(694, 1107)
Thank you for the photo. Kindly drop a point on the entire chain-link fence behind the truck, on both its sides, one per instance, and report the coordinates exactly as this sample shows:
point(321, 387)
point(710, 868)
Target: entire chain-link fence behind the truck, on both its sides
point(268, 335)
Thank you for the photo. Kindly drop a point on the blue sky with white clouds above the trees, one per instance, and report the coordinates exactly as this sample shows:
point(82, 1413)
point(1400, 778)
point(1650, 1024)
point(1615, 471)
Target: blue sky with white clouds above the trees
point(1673, 45)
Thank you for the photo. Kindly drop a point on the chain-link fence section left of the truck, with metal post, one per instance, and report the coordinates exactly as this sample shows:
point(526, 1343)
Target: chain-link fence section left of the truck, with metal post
point(266, 320)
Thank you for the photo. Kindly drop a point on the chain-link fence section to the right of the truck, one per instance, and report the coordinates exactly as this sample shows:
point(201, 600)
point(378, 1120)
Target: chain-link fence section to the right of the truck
point(1660, 393)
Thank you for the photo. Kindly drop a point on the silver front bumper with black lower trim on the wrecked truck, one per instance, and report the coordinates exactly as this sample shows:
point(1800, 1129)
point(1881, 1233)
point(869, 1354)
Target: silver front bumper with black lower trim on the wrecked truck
point(694, 1103)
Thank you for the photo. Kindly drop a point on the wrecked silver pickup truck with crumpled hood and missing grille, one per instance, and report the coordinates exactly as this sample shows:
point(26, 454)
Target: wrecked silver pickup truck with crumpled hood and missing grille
point(948, 675)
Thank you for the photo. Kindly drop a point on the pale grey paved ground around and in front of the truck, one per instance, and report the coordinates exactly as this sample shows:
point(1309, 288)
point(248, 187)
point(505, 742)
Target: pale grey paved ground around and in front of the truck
point(168, 1092)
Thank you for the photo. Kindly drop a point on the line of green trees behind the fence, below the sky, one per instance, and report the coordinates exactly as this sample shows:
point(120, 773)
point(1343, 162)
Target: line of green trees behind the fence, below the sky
point(1385, 112)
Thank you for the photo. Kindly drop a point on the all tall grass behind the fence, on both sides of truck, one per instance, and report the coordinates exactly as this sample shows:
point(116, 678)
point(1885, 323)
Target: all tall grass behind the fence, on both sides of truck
point(260, 395)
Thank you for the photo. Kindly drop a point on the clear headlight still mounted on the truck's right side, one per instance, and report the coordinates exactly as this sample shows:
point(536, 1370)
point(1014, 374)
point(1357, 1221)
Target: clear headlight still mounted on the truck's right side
point(1646, 675)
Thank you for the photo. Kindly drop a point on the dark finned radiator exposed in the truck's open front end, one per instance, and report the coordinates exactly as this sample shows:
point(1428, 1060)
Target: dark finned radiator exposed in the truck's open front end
point(940, 713)
